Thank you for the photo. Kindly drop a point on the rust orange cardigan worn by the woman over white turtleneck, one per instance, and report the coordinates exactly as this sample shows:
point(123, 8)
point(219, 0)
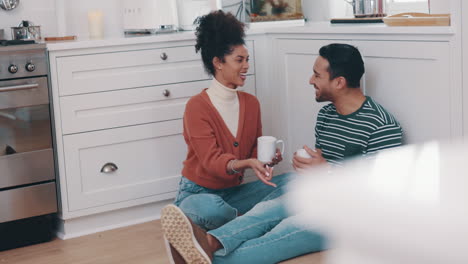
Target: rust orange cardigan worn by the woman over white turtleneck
point(211, 145)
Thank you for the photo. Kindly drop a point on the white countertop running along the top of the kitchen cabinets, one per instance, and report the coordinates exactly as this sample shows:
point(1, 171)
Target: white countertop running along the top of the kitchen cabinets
point(308, 28)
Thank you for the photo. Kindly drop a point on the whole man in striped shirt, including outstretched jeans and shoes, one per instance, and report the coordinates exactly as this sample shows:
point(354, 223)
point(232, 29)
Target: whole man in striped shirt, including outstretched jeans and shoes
point(351, 125)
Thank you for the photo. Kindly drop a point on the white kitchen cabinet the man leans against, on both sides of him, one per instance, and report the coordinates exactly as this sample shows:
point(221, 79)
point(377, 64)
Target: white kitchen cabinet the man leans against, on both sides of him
point(411, 79)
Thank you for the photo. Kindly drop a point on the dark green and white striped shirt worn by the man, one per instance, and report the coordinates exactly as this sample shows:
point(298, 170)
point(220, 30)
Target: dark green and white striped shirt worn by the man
point(370, 129)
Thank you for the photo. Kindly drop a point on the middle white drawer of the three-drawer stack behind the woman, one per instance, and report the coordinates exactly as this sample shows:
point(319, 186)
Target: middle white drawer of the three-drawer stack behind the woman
point(87, 112)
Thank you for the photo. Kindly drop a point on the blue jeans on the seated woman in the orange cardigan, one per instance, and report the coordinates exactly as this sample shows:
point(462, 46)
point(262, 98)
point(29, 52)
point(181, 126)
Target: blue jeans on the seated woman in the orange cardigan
point(210, 209)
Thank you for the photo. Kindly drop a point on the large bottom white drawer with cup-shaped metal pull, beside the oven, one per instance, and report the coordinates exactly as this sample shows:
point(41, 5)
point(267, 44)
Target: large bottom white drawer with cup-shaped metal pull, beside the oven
point(148, 162)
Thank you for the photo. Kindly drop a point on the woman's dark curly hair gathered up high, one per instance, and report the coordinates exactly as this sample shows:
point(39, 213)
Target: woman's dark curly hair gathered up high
point(216, 34)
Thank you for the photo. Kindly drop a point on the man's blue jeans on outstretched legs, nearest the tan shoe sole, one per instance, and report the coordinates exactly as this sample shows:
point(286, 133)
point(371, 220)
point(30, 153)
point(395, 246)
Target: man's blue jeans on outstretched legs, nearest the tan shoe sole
point(266, 234)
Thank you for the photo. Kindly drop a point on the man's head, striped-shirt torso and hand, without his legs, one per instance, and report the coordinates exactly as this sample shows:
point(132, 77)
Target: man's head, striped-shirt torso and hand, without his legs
point(352, 124)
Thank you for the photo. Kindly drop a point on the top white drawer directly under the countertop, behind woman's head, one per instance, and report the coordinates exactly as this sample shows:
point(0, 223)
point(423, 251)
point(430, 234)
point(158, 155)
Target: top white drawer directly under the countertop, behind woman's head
point(131, 69)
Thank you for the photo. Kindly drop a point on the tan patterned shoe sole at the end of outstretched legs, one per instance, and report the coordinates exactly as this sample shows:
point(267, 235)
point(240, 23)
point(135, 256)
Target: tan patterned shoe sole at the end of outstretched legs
point(178, 231)
